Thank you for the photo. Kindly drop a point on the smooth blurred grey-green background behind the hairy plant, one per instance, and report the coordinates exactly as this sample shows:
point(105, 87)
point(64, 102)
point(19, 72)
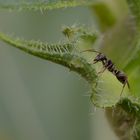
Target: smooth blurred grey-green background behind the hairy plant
point(40, 100)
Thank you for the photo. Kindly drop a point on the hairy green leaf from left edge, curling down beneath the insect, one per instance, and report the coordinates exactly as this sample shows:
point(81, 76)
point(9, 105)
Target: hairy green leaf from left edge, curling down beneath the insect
point(70, 56)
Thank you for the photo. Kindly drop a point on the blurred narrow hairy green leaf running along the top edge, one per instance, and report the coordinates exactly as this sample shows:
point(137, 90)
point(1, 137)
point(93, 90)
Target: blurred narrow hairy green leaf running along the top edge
point(42, 5)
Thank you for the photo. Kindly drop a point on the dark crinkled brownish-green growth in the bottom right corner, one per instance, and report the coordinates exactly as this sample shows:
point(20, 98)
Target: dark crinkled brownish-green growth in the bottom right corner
point(124, 118)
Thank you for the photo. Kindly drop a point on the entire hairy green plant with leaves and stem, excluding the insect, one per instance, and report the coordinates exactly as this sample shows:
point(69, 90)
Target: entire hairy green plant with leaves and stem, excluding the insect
point(120, 43)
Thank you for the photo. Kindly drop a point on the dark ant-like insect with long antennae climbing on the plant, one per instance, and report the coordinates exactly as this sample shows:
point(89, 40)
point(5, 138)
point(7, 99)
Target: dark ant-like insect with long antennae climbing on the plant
point(108, 64)
